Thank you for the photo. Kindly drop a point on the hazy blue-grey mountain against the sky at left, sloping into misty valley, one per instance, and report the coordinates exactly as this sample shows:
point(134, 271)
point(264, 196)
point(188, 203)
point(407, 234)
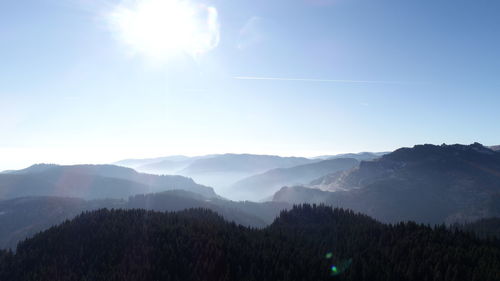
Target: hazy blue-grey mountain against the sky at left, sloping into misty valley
point(90, 182)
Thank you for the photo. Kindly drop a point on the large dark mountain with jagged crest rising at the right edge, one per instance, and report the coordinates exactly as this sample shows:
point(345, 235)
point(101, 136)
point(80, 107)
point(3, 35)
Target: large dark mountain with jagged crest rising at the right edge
point(426, 183)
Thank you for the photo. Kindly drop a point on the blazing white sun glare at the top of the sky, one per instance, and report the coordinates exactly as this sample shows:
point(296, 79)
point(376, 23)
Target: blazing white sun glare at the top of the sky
point(162, 29)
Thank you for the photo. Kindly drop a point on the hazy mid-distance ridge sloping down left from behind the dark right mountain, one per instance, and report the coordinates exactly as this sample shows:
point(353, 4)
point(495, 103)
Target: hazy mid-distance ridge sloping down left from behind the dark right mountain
point(266, 184)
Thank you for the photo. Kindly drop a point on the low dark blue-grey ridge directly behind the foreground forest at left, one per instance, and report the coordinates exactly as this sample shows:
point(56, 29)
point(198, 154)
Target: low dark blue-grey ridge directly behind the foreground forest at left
point(23, 217)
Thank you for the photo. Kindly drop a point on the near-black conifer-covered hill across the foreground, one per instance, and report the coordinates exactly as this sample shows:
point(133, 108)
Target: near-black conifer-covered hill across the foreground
point(305, 243)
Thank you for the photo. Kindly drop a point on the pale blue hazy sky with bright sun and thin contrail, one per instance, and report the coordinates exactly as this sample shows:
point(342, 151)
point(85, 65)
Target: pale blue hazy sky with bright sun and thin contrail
point(101, 80)
